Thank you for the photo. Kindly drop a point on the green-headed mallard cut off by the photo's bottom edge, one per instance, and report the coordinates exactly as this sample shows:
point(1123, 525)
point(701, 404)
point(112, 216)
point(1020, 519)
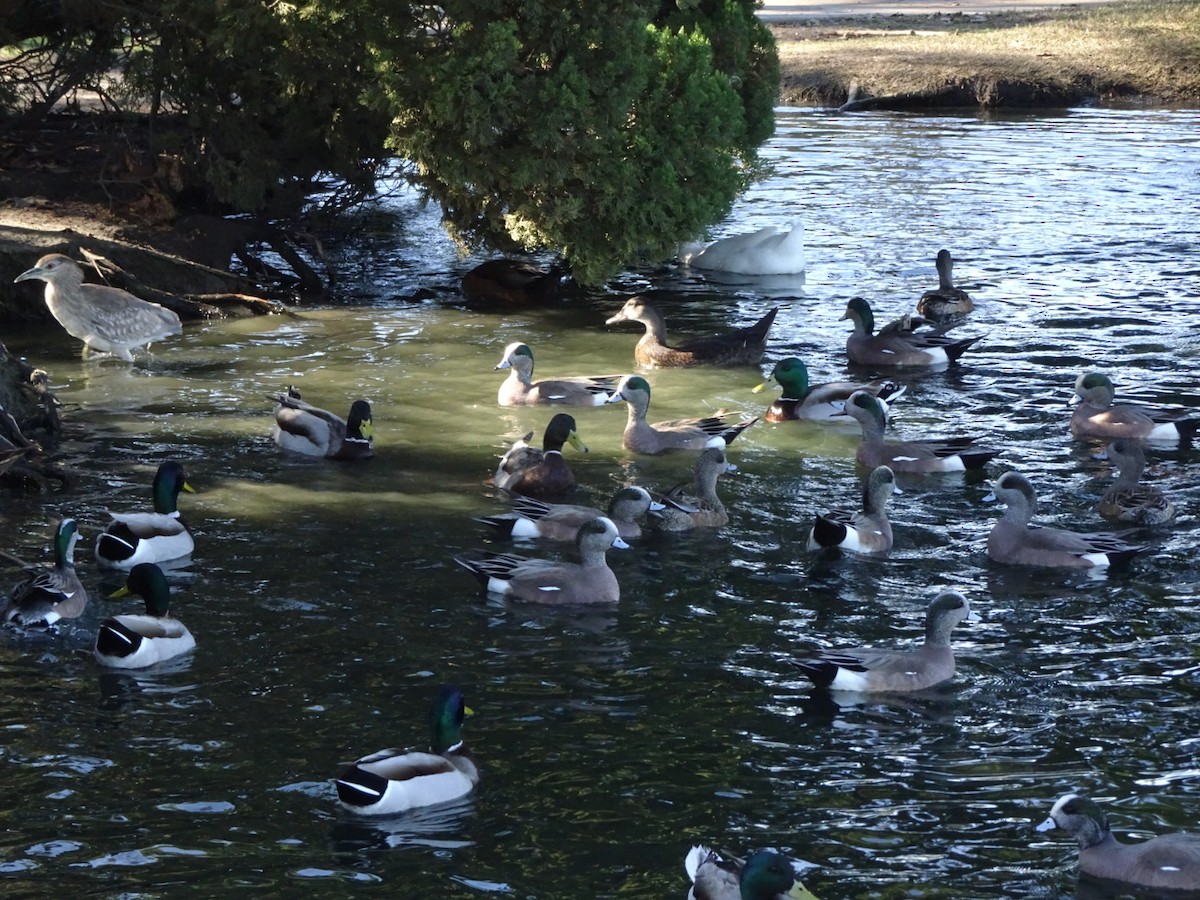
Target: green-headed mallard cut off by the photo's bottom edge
point(766, 875)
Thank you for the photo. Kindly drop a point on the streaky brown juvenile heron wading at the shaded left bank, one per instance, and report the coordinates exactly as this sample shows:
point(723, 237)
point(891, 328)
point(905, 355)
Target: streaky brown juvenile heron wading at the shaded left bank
point(106, 320)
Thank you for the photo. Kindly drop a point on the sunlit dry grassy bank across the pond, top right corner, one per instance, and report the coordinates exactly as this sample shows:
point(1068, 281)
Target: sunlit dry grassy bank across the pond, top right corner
point(1143, 52)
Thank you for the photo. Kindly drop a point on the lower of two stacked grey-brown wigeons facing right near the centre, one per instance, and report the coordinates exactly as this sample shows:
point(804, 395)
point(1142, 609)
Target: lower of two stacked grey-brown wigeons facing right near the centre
point(544, 581)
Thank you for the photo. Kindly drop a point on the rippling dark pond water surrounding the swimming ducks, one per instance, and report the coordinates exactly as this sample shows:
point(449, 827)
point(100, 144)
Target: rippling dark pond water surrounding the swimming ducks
point(327, 607)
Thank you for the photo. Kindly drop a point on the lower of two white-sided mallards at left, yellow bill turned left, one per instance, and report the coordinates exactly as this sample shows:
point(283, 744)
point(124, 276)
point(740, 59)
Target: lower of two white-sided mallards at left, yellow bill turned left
point(140, 641)
